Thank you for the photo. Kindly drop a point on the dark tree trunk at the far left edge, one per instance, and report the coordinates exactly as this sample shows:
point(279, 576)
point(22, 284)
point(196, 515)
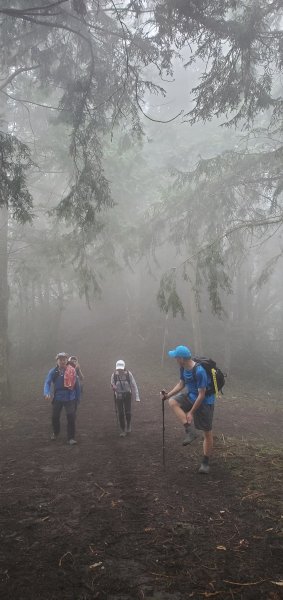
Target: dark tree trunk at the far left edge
point(4, 298)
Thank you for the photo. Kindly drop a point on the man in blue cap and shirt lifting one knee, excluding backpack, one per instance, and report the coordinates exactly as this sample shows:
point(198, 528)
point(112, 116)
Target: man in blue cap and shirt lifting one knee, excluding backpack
point(195, 404)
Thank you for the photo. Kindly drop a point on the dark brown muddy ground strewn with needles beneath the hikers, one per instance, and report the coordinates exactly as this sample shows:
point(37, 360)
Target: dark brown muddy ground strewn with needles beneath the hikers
point(107, 520)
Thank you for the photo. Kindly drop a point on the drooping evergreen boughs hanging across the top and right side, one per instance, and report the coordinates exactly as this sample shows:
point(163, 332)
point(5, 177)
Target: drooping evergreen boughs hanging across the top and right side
point(89, 58)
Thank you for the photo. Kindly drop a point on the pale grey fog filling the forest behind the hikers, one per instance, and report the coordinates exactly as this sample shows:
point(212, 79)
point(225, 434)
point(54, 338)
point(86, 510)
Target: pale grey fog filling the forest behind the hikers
point(154, 220)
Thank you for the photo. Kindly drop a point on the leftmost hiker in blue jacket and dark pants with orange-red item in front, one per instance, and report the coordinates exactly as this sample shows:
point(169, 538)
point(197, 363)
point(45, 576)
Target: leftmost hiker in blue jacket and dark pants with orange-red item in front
point(66, 394)
